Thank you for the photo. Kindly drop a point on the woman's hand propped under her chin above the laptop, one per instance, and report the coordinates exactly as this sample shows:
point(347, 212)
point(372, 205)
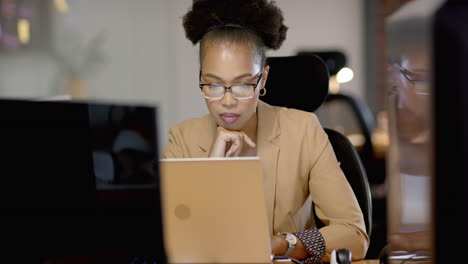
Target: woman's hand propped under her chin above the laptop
point(229, 143)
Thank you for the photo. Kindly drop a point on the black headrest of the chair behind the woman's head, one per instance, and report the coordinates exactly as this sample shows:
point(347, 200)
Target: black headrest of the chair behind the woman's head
point(299, 82)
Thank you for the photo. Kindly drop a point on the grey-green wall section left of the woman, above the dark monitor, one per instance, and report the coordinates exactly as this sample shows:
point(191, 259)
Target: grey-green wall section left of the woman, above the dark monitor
point(129, 63)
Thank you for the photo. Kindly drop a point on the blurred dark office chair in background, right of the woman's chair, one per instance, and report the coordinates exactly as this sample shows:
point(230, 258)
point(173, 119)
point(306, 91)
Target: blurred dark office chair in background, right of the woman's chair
point(353, 118)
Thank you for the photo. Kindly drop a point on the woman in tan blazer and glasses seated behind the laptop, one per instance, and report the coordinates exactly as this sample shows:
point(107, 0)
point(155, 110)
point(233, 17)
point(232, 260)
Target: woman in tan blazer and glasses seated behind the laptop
point(297, 157)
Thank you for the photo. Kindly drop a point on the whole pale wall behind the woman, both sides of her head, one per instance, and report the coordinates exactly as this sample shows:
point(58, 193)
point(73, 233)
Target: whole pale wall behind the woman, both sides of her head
point(142, 54)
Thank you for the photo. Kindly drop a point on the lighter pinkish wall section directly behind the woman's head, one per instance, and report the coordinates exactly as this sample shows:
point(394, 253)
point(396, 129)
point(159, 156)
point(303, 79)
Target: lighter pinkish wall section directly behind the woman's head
point(316, 25)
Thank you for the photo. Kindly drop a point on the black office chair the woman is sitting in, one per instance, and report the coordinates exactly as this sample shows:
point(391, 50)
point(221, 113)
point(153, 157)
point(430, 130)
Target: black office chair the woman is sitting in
point(301, 82)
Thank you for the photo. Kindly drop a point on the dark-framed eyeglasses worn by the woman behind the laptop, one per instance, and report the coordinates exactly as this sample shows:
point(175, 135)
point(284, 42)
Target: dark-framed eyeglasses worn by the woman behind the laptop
point(239, 91)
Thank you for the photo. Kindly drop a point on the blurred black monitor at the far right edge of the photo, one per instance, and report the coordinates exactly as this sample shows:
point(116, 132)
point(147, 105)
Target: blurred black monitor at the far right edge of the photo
point(450, 42)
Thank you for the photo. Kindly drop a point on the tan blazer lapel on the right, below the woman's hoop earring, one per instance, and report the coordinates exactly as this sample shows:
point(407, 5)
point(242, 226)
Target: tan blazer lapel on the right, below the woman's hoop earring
point(268, 132)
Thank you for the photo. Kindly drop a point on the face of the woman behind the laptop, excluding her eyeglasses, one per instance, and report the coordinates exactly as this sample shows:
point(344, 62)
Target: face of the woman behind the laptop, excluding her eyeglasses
point(227, 64)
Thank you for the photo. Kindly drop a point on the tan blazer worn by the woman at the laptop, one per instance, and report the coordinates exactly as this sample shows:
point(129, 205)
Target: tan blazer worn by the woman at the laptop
point(299, 165)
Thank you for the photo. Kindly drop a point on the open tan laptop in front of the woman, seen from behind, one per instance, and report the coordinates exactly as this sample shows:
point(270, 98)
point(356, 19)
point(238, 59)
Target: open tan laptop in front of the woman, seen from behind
point(214, 211)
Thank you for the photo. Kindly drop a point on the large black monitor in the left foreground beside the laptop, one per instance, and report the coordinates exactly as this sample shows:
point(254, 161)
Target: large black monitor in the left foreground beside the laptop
point(79, 180)
